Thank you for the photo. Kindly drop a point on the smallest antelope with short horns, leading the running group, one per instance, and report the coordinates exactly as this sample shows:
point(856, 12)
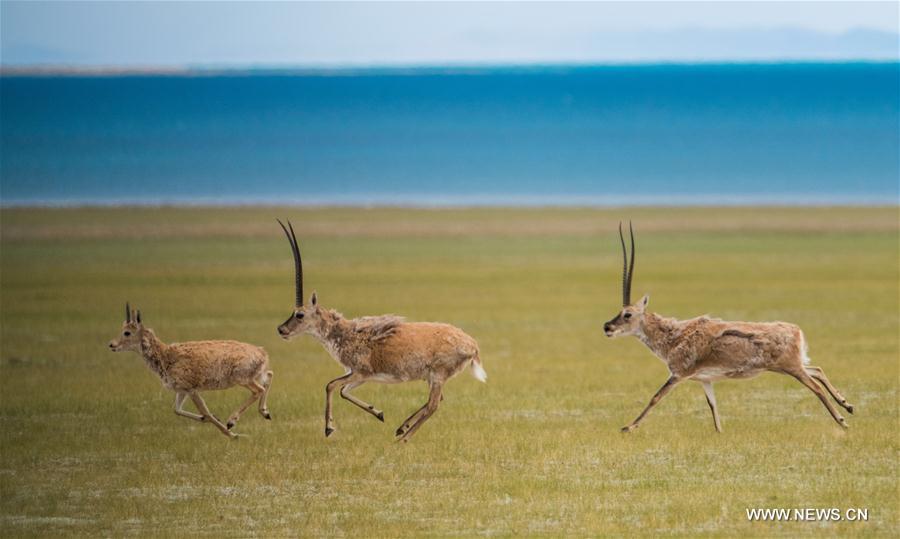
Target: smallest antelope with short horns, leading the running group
point(190, 367)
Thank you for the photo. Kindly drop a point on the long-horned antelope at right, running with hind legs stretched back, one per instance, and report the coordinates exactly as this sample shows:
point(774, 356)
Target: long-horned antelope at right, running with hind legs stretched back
point(707, 349)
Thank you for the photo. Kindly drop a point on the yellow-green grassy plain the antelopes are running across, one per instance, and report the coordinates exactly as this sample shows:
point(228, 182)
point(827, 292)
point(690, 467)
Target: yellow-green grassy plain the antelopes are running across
point(90, 445)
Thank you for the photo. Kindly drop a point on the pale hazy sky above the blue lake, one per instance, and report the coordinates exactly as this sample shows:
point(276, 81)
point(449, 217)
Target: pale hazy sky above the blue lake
point(132, 34)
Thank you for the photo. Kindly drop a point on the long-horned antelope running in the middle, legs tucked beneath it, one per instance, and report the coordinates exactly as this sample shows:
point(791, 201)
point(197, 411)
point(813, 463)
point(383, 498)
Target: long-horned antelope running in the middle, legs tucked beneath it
point(383, 349)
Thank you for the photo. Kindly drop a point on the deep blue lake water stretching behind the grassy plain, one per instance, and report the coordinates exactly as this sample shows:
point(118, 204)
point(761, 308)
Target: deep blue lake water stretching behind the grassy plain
point(654, 134)
